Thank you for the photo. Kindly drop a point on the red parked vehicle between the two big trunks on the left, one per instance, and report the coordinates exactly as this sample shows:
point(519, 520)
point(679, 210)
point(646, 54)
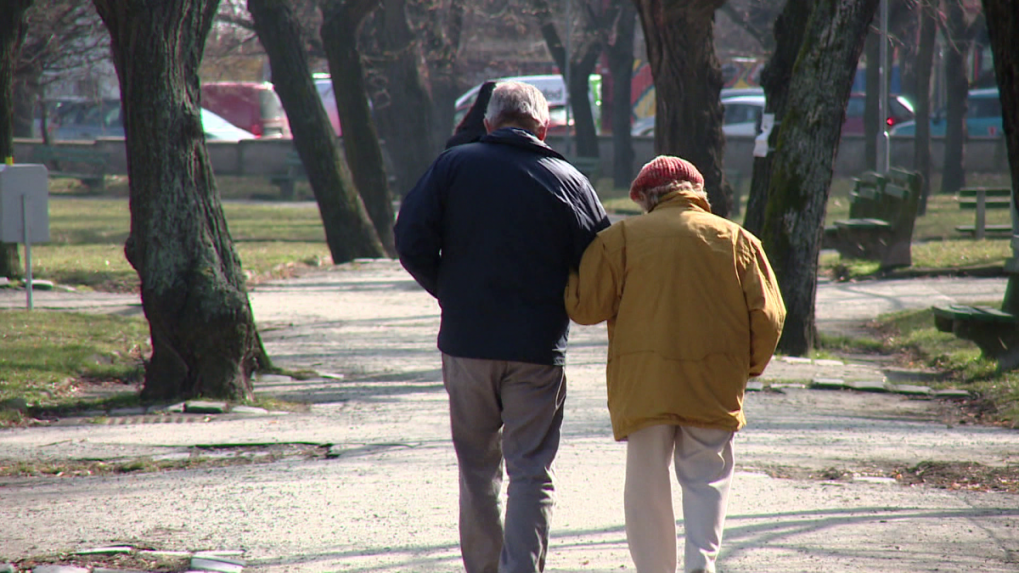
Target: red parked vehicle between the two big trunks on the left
point(253, 107)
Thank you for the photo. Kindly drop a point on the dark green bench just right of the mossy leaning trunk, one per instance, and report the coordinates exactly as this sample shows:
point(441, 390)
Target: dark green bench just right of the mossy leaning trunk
point(882, 216)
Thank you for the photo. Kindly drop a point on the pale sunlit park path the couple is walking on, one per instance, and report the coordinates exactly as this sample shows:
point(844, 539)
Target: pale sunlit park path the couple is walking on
point(385, 499)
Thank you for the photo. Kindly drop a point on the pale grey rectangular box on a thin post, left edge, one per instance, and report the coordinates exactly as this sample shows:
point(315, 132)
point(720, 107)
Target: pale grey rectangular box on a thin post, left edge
point(25, 196)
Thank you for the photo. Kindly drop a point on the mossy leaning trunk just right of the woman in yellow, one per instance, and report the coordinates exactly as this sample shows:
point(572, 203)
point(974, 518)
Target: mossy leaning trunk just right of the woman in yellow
point(809, 140)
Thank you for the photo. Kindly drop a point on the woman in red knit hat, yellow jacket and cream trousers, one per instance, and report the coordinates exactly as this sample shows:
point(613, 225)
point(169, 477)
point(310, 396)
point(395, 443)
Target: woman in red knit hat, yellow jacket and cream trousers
point(693, 312)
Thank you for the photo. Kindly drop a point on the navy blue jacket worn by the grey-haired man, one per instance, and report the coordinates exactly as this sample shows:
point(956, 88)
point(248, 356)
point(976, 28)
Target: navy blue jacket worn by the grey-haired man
point(492, 231)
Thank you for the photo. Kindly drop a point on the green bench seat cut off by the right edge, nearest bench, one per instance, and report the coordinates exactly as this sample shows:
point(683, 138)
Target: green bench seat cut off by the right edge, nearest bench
point(995, 332)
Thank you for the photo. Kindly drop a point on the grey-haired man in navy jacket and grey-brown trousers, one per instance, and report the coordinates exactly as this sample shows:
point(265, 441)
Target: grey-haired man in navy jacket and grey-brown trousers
point(493, 231)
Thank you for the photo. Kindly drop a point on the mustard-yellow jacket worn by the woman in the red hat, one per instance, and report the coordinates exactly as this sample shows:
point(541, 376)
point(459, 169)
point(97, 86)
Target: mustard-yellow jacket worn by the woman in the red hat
point(693, 312)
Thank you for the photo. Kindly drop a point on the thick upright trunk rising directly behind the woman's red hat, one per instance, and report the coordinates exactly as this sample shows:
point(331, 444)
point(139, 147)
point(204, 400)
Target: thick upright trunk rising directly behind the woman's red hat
point(680, 37)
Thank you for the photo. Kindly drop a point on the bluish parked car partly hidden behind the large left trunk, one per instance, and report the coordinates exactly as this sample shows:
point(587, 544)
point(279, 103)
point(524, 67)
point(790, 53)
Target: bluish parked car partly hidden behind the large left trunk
point(90, 120)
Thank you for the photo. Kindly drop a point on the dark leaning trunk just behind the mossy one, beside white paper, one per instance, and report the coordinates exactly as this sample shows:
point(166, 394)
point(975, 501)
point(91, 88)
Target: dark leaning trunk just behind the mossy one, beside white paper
point(790, 28)
